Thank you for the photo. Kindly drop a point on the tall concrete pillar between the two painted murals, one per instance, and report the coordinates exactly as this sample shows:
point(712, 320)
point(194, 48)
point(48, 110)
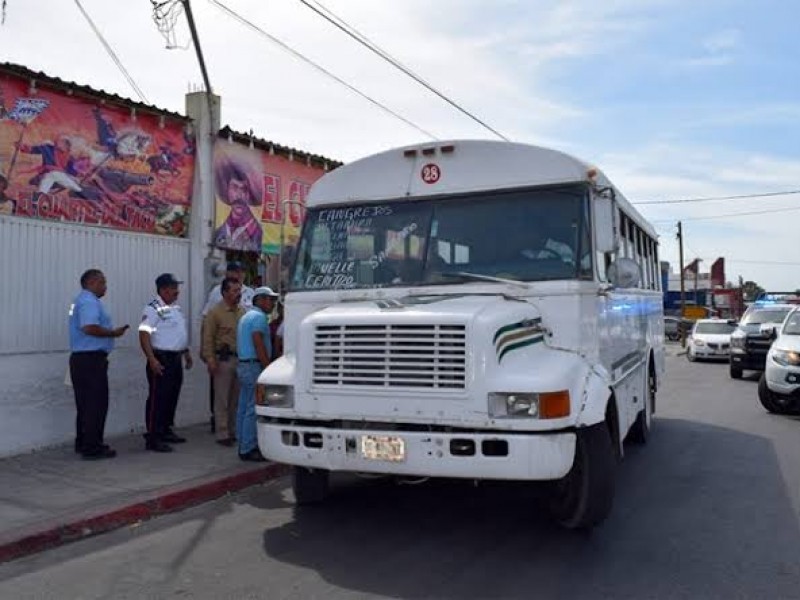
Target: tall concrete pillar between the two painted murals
point(202, 256)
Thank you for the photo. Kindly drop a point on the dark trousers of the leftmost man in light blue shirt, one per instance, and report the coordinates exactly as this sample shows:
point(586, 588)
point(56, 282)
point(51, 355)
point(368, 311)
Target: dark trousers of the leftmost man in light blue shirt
point(89, 374)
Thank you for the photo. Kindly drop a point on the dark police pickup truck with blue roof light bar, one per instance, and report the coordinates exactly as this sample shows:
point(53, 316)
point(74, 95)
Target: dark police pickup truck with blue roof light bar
point(754, 335)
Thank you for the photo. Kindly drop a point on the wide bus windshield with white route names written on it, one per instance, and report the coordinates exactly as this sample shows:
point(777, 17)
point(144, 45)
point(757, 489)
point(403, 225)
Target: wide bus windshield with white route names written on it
point(531, 235)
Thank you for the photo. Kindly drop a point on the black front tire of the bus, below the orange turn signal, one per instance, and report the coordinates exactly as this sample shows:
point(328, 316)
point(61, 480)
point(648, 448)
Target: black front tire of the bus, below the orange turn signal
point(583, 498)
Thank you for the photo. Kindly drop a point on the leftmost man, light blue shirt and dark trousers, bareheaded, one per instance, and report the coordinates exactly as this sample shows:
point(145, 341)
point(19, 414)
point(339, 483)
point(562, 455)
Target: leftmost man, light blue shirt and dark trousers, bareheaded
point(91, 338)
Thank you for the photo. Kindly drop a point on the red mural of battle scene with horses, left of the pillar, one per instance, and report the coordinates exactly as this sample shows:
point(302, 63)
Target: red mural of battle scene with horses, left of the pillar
point(73, 160)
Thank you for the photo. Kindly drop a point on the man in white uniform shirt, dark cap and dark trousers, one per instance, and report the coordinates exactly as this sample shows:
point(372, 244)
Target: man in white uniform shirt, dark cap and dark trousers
point(164, 339)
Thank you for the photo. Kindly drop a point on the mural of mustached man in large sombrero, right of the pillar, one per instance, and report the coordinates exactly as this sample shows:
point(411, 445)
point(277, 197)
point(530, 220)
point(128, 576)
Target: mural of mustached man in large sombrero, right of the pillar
point(253, 190)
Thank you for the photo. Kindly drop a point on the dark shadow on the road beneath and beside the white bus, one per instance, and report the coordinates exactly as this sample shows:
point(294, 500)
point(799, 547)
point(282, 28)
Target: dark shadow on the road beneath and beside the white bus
point(701, 512)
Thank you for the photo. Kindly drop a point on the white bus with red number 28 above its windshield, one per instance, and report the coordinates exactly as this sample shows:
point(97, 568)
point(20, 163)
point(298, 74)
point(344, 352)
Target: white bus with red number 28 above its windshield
point(468, 309)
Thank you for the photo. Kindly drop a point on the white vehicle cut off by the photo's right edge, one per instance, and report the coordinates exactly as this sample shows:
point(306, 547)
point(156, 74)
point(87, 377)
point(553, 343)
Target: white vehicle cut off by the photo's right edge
point(779, 387)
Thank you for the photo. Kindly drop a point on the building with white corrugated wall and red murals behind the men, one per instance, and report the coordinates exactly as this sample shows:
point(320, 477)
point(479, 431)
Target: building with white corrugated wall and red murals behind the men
point(97, 180)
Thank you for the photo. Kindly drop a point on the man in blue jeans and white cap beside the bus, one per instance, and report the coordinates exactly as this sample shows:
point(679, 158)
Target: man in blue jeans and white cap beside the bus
point(254, 350)
